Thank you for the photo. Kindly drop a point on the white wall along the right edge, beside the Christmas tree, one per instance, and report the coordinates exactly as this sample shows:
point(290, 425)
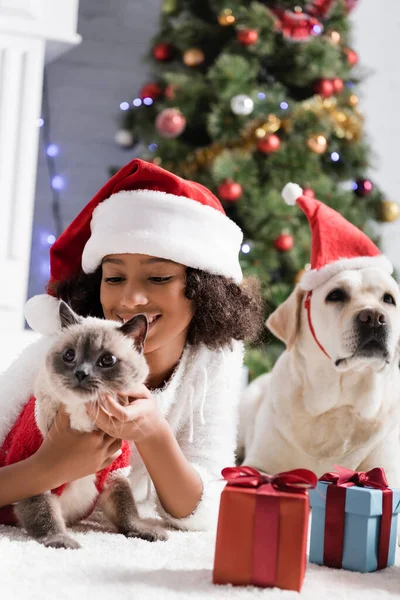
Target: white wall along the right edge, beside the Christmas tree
point(377, 41)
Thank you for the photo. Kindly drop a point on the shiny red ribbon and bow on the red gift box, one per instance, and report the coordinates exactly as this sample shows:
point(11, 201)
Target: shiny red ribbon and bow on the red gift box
point(267, 512)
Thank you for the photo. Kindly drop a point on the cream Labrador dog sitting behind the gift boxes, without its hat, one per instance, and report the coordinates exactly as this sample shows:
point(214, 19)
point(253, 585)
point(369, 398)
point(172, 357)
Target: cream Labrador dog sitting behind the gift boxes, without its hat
point(333, 396)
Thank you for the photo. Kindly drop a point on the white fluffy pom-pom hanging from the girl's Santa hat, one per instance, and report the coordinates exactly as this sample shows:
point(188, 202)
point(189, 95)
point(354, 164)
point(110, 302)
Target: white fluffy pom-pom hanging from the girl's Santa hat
point(42, 314)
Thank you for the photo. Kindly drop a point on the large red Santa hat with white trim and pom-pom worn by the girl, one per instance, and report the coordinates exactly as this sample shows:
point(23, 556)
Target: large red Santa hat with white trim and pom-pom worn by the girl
point(142, 209)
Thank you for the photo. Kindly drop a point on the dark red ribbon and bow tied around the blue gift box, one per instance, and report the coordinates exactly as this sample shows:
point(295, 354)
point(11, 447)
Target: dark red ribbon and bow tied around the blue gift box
point(335, 511)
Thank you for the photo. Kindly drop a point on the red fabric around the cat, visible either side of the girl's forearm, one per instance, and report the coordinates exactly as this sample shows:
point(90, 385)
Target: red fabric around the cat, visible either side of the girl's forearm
point(25, 439)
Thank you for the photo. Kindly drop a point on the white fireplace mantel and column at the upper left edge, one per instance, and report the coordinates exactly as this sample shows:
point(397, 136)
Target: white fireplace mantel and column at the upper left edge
point(32, 33)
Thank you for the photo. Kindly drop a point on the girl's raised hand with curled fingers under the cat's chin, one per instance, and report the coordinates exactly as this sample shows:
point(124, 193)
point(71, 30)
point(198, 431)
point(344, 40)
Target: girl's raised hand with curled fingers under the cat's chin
point(139, 421)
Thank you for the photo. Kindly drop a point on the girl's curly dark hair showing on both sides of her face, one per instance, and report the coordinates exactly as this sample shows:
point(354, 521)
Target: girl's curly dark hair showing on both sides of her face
point(224, 310)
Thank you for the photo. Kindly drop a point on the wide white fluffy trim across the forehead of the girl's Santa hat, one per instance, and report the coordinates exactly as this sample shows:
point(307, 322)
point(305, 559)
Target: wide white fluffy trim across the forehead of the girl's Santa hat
point(167, 226)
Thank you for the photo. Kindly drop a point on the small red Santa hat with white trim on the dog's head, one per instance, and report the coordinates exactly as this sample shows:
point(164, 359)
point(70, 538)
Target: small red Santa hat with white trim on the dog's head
point(337, 245)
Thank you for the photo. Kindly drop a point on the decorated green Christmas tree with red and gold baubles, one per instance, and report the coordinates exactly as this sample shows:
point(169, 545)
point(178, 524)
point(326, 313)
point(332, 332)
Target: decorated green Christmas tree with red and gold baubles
point(246, 97)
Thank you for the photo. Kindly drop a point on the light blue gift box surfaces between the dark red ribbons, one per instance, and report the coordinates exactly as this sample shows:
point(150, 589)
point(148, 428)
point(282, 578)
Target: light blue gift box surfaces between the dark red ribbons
point(363, 513)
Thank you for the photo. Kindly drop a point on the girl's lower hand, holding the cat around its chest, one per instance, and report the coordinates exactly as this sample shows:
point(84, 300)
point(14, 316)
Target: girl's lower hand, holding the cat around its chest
point(68, 454)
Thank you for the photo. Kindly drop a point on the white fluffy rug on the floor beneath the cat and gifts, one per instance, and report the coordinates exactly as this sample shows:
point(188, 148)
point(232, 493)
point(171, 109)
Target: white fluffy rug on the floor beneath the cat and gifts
point(111, 567)
